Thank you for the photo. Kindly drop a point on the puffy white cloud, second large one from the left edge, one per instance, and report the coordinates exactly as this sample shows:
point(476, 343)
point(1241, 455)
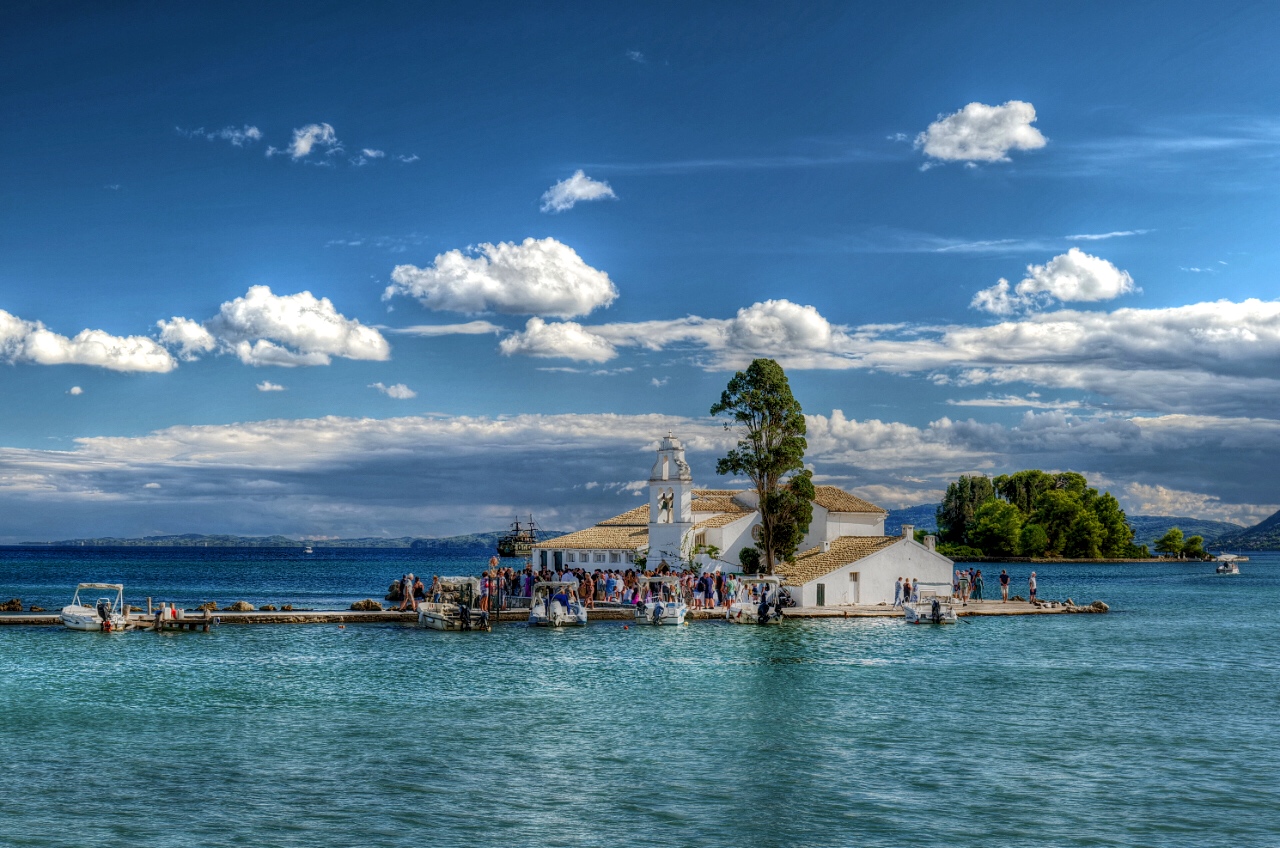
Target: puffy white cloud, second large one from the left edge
point(294, 330)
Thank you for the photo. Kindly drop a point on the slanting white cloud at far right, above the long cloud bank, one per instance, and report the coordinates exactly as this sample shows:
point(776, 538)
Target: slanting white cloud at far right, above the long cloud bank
point(1073, 276)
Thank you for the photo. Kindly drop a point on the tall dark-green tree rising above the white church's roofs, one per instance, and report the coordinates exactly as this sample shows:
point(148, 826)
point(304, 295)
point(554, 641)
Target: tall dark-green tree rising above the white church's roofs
point(771, 439)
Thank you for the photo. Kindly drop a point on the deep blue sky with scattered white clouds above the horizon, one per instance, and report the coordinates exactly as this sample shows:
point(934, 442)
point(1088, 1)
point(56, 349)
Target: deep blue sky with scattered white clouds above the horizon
point(292, 190)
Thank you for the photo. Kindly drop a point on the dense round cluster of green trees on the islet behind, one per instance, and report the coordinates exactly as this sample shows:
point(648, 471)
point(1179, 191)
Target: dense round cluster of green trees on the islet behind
point(1034, 513)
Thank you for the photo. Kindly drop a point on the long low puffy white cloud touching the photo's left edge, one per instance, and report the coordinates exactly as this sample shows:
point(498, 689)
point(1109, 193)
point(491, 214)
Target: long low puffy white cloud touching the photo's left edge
point(22, 341)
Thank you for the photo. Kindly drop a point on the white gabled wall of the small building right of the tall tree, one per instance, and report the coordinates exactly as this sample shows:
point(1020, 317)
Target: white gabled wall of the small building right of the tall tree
point(879, 575)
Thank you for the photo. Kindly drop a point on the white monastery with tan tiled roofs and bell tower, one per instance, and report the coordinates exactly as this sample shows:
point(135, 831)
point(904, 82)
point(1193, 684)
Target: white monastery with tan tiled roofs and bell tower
point(845, 559)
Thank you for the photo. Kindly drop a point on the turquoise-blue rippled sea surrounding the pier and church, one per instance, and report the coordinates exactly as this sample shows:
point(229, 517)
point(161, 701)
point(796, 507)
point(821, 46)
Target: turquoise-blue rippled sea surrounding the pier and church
point(1153, 726)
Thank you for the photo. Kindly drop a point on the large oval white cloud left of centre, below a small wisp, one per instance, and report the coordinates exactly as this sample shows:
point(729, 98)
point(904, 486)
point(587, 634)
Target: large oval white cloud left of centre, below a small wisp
point(537, 277)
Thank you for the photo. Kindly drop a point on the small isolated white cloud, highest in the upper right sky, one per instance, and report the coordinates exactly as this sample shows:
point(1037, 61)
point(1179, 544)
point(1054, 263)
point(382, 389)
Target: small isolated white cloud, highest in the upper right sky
point(982, 134)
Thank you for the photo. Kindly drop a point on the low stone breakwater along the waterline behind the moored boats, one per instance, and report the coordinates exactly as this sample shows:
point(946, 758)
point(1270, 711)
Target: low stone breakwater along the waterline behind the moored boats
point(977, 609)
